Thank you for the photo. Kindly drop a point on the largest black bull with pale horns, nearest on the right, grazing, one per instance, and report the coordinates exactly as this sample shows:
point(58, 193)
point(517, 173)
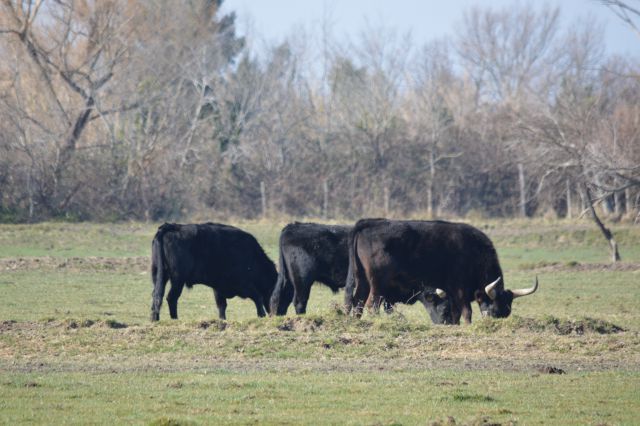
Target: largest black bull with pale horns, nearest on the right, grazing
point(407, 256)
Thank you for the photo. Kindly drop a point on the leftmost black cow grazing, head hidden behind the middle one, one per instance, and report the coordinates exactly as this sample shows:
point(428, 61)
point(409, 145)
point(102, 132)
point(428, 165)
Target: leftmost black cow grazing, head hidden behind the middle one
point(227, 259)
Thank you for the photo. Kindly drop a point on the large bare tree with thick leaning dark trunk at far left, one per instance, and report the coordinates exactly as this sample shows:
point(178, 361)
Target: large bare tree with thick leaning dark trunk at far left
point(66, 54)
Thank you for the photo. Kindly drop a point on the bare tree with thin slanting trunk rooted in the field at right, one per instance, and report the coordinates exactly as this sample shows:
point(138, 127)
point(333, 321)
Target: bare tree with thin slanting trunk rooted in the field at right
point(576, 130)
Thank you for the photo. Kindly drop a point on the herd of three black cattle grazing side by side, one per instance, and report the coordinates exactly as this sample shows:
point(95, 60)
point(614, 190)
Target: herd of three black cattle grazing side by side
point(443, 265)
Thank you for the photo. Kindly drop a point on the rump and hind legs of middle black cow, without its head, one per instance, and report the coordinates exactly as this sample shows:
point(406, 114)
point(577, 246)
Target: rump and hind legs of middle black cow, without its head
point(309, 252)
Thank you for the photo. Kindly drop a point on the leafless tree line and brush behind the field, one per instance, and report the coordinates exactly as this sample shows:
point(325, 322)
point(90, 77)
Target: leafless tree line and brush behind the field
point(118, 109)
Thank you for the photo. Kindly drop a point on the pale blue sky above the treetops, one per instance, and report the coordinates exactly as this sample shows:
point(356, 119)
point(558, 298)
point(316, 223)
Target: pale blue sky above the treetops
point(427, 20)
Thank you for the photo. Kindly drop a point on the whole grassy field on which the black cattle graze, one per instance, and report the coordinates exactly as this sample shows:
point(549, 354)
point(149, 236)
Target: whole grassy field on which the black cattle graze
point(76, 345)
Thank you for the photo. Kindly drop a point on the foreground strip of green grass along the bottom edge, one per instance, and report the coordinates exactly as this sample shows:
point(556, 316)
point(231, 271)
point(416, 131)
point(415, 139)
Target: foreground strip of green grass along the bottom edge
point(221, 396)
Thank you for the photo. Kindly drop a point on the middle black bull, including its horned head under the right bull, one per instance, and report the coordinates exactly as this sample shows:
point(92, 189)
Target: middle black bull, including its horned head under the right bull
point(311, 252)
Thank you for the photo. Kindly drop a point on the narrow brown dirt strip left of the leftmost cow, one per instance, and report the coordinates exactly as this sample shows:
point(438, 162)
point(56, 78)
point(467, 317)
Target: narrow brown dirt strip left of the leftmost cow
point(92, 263)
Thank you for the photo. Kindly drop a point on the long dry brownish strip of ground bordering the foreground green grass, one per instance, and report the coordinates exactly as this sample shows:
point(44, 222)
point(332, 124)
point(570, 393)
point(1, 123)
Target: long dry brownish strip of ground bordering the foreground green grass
point(170, 363)
